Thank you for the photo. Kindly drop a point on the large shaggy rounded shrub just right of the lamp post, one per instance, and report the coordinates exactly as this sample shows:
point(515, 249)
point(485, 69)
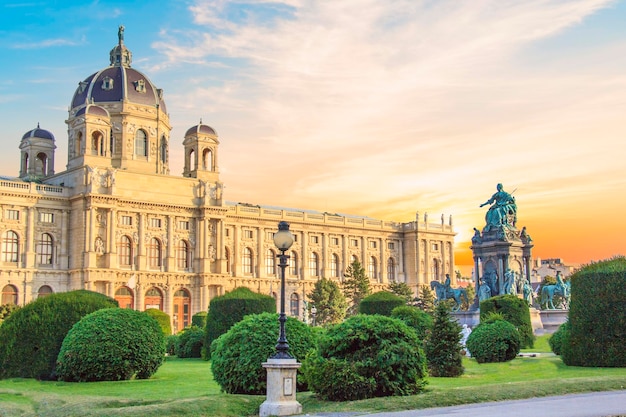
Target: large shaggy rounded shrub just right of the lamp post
point(366, 356)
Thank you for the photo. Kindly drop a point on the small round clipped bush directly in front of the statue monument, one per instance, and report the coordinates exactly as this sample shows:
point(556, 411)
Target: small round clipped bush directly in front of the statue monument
point(497, 341)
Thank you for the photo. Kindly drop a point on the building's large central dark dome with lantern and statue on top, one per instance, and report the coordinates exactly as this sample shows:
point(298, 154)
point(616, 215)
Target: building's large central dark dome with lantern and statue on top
point(118, 82)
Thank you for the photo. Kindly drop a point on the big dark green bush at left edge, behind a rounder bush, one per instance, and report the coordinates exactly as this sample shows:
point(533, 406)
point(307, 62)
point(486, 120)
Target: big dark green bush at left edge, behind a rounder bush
point(32, 336)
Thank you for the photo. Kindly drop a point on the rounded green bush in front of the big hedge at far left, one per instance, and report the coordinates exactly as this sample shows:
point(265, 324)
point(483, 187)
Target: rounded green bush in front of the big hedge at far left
point(112, 344)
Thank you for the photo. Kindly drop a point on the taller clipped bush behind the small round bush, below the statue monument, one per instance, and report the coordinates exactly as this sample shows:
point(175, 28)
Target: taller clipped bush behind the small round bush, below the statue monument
point(515, 311)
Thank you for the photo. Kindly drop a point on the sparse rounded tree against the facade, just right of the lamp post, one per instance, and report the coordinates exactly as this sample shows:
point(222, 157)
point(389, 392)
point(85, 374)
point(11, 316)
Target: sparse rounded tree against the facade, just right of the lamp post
point(329, 301)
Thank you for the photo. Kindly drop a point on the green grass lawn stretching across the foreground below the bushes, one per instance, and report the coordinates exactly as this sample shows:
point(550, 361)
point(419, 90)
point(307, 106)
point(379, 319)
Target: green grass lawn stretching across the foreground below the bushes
point(186, 388)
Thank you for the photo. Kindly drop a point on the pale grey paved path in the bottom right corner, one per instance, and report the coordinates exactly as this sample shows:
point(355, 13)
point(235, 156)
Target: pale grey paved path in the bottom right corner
point(599, 404)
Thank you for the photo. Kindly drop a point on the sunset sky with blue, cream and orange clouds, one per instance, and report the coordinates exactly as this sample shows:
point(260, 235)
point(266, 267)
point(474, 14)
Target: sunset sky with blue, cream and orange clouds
point(369, 107)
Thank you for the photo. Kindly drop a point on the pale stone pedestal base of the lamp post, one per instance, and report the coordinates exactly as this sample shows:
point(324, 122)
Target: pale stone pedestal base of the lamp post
point(281, 388)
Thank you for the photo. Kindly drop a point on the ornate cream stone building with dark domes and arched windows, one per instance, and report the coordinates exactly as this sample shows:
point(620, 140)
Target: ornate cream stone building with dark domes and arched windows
point(115, 221)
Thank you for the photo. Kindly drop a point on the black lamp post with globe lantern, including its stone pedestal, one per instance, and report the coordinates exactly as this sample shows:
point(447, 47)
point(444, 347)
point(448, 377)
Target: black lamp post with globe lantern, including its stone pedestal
point(281, 367)
